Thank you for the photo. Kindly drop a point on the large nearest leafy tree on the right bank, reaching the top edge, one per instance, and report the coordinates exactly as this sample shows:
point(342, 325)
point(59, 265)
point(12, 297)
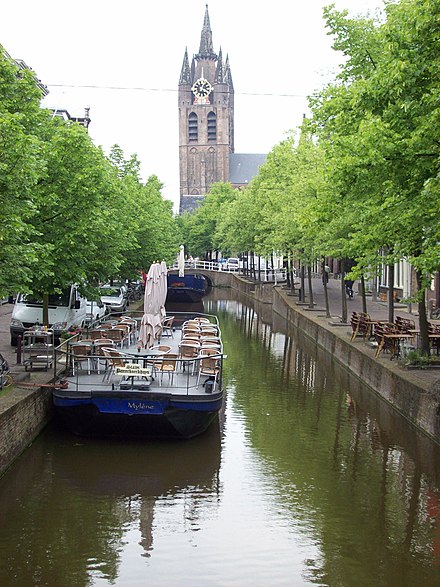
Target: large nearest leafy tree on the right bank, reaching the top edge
point(379, 124)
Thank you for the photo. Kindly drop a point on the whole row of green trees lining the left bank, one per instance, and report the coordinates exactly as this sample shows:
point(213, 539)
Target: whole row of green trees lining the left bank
point(69, 213)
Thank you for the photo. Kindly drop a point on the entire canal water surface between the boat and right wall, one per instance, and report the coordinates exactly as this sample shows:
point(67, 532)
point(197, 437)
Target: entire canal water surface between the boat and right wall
point(308, 479)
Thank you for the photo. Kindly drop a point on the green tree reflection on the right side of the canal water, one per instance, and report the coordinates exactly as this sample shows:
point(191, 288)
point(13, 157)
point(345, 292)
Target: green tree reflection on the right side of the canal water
point(351, 471)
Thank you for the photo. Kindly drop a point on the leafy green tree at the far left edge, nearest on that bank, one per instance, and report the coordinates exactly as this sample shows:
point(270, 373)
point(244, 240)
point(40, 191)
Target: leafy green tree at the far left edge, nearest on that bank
point(21, 167)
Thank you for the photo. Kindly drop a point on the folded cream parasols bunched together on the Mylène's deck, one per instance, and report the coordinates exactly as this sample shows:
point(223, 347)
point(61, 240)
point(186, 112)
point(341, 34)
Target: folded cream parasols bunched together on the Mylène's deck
point(154, 304)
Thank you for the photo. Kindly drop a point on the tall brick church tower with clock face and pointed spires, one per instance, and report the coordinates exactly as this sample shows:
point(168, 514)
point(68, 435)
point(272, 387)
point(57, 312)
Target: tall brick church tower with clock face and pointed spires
point(206, 121)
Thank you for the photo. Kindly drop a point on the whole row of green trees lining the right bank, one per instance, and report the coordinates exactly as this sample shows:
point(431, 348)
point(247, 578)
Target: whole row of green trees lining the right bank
point(361, 180)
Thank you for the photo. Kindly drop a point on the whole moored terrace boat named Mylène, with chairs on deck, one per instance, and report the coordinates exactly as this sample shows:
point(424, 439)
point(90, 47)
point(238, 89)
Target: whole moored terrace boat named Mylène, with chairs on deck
point(116, 388)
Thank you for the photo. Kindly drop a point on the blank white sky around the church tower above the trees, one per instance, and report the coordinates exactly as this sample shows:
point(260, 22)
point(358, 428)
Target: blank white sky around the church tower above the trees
point(279, 53)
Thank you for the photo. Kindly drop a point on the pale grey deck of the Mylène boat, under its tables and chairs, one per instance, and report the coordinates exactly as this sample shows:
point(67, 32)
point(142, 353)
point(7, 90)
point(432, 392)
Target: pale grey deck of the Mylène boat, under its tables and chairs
point(142, 373)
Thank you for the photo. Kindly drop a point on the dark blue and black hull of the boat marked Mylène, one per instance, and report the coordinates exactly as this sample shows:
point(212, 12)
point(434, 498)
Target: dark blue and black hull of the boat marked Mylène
point(114, 414)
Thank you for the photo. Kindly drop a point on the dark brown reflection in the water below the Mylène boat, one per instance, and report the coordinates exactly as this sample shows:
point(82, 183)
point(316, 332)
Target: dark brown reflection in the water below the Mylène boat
point(69, 504)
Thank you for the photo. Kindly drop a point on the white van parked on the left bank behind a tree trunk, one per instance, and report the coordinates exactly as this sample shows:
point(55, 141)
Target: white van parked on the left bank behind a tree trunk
point(66, 309)
